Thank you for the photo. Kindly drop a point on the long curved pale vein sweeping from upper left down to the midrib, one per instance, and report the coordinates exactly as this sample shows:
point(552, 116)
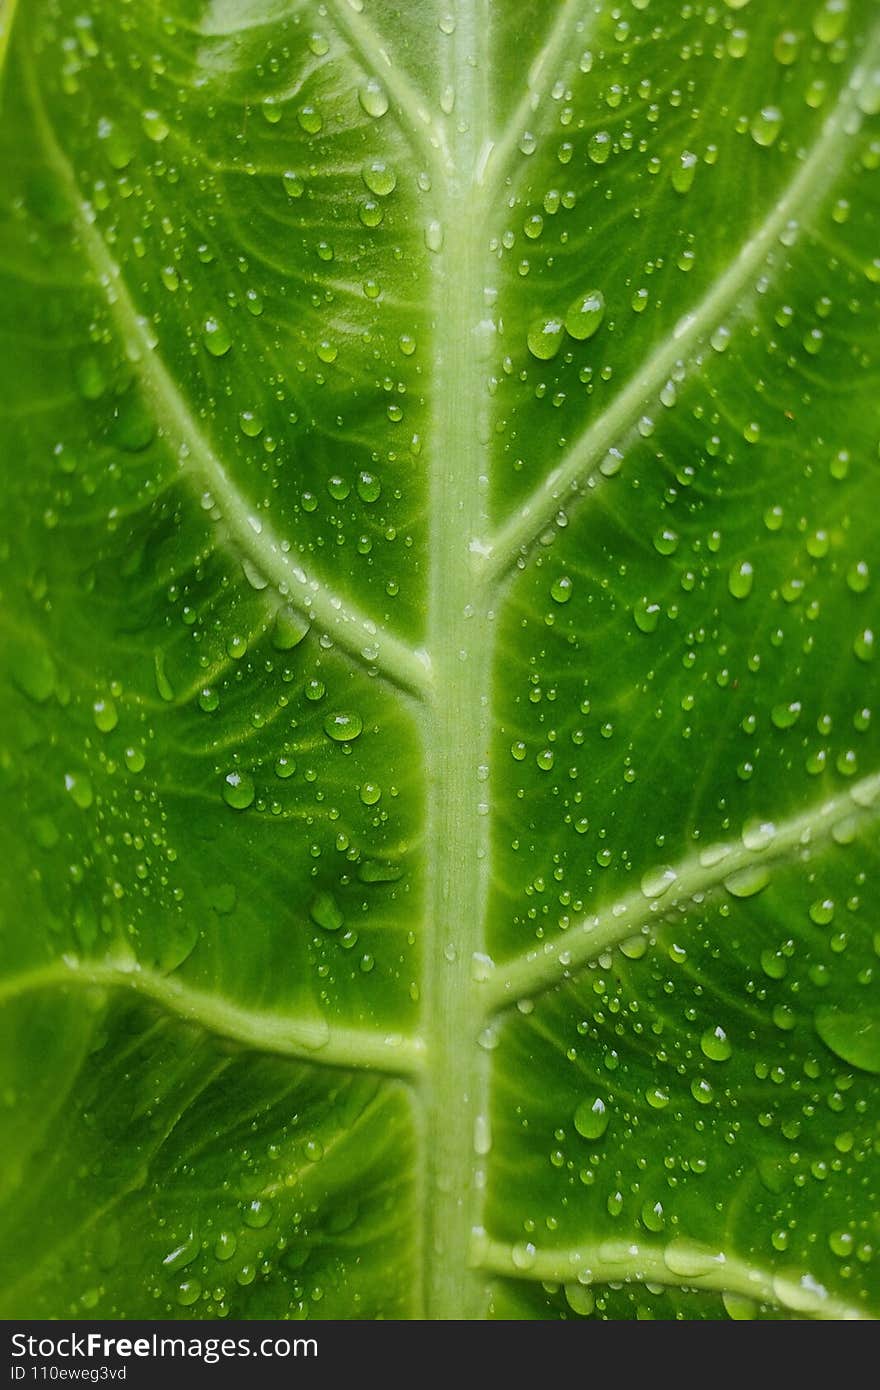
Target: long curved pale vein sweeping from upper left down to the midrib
point(251, 534)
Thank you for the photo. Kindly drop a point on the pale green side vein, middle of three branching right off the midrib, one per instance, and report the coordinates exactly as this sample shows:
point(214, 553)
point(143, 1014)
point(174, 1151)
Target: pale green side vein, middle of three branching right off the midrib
point(672, 888)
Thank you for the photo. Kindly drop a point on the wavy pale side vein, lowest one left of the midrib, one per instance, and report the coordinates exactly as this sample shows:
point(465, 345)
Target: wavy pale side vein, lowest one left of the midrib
point(308, 1039)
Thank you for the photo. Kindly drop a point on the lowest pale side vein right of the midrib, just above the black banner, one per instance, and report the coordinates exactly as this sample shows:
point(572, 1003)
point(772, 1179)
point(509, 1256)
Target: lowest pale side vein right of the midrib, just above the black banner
point(676, 1266)
